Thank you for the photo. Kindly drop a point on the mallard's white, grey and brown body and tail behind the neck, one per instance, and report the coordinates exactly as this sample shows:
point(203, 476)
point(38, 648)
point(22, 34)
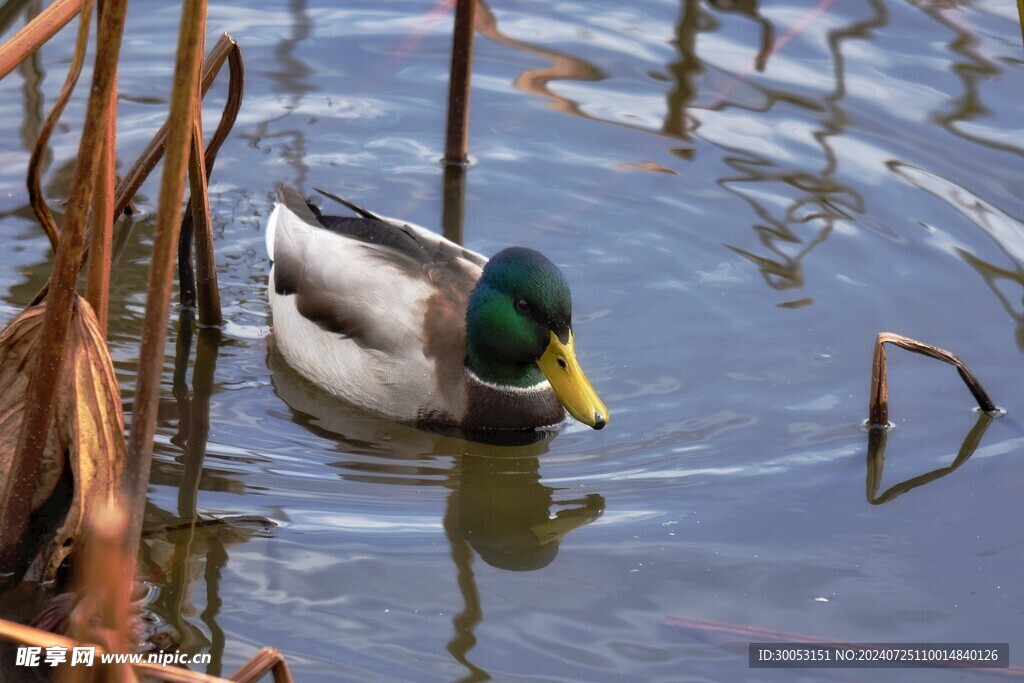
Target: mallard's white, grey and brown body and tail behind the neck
point(370, 306)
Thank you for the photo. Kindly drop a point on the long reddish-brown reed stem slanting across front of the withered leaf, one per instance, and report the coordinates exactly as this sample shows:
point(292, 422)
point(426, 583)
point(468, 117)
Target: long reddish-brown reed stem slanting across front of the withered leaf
point(52, 353)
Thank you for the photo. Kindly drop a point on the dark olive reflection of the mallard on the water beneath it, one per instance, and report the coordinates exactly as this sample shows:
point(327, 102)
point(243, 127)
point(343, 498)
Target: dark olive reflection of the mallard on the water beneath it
point(498, 503)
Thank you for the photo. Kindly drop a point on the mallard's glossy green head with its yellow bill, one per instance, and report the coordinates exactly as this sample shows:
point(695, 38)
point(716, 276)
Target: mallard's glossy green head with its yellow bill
point(520, 330)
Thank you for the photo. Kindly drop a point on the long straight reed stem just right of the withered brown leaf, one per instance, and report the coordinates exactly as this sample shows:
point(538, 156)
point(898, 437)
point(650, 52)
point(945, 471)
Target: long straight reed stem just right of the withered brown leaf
point(148, 389)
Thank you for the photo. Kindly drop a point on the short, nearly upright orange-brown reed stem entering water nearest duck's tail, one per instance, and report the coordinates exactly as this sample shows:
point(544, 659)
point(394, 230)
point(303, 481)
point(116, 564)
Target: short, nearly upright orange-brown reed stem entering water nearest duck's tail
point(199, 203)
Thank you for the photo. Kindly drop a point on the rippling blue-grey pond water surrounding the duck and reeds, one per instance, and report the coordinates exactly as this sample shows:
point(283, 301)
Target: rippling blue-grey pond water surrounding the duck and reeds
point(742, 197)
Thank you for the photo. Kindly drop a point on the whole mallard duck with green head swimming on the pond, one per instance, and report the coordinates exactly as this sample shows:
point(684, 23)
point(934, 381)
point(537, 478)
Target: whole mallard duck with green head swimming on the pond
point(402, 322)
